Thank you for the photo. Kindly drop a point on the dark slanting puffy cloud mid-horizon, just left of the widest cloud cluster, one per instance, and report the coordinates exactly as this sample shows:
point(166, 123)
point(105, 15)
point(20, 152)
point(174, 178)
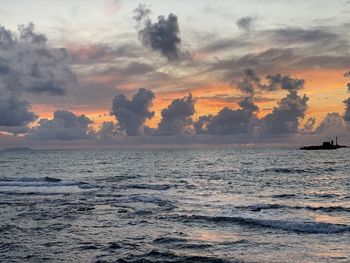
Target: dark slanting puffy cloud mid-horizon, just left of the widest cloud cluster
point(177, 117)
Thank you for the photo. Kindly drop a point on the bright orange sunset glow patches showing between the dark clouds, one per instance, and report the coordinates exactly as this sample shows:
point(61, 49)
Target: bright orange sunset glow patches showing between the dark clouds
point(326, 90)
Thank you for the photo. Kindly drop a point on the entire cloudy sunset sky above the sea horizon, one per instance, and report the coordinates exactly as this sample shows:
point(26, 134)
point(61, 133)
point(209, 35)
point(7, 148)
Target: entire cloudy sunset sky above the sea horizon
point(109, 73)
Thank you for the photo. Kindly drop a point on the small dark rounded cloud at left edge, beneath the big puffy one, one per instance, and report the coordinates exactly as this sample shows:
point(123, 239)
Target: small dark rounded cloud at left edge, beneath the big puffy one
point(14, 111)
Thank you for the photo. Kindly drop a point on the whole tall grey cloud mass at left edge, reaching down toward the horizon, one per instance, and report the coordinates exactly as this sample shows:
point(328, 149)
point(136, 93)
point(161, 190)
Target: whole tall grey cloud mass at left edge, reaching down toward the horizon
point(28, 67)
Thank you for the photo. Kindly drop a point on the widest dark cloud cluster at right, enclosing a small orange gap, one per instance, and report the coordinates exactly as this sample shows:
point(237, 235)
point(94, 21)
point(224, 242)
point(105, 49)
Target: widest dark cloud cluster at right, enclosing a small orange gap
point(284, 119)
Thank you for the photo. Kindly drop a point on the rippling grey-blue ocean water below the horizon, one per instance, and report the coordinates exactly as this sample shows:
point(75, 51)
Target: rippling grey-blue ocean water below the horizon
point(175, 205)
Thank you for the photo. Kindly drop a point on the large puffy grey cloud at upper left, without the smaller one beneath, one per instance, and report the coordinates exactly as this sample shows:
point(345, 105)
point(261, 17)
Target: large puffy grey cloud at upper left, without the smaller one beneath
point(28, 64)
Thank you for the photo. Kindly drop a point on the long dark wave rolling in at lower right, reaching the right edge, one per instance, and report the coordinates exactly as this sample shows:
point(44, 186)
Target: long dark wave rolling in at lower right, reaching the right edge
point(307, 227)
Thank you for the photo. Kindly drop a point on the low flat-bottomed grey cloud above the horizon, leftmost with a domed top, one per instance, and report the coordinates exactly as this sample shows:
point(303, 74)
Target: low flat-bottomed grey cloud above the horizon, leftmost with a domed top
point(65, 126)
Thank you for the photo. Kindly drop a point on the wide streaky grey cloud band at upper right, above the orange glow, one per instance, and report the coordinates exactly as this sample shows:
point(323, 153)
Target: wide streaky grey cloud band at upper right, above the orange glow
point(292, 49)
